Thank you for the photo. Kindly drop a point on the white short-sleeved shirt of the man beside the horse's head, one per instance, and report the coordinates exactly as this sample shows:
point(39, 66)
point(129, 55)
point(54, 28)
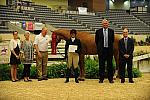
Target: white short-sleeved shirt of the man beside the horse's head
point(42, 42)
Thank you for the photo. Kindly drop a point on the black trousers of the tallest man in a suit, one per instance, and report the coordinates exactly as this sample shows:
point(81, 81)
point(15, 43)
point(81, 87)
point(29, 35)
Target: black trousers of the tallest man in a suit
point(106, 56)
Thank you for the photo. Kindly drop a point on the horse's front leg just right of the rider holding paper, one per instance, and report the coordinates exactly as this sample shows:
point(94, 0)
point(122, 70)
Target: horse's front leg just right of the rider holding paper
point(81, 65)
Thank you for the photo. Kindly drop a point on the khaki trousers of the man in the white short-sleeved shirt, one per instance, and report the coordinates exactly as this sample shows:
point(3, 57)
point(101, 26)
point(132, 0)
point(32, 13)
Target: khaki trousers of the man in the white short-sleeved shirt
point(42, 64)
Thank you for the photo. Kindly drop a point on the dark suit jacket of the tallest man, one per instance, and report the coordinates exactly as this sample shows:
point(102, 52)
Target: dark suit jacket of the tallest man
point(99, 39)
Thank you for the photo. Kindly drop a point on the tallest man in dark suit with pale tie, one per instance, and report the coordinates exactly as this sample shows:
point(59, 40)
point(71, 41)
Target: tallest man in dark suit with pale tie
point(104, 39)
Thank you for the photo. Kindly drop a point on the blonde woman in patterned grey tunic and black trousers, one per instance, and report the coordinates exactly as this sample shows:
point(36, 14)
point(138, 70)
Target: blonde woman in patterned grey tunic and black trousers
point(27, 50)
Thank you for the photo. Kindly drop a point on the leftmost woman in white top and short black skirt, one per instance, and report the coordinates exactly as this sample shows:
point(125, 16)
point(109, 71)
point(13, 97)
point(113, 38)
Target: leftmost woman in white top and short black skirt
point(14, 57)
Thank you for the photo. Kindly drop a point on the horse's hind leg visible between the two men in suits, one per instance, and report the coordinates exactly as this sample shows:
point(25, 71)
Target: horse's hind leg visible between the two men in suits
point(116, 56)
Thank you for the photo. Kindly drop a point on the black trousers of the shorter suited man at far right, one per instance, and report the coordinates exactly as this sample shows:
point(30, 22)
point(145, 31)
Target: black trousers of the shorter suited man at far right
point(122, 66)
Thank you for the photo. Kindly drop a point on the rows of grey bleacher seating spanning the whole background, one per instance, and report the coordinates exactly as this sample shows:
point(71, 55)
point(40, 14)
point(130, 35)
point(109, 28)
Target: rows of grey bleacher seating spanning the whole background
point(136, 23)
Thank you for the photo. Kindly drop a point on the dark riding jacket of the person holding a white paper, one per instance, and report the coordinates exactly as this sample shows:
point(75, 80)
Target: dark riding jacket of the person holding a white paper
point(76, 42)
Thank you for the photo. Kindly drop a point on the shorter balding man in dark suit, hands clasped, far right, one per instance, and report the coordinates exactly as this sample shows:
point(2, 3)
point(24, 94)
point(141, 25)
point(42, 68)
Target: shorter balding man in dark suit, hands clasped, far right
point(126, 48)
